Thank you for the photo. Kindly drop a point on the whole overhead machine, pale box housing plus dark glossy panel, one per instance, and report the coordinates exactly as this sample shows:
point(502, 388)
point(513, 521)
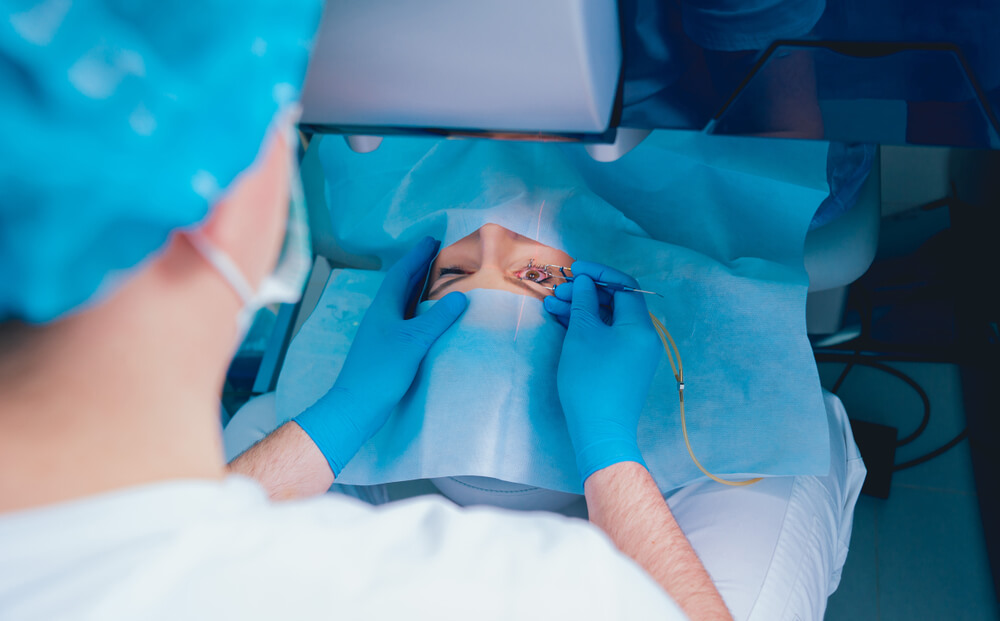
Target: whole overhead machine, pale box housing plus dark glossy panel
point(609, 72)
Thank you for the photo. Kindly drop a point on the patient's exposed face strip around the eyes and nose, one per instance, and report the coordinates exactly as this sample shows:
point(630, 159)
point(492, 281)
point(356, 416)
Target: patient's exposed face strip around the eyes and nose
point(492, 258)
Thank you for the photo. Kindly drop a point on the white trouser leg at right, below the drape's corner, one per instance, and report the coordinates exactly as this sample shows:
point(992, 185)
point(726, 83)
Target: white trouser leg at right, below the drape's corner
point(775, 549)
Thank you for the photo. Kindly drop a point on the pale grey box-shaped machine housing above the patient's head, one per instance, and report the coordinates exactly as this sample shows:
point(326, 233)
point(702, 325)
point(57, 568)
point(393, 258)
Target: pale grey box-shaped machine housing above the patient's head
point(445, 66)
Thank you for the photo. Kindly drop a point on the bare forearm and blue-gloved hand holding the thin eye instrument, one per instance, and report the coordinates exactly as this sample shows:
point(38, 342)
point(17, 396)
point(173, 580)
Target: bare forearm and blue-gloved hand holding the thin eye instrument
point(605, 372)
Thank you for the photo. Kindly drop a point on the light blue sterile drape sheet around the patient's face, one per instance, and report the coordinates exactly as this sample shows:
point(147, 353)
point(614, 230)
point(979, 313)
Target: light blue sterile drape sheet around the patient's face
point(716, 225)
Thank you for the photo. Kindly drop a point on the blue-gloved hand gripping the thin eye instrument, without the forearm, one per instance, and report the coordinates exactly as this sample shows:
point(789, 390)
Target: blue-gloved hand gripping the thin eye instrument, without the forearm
point(605, 369)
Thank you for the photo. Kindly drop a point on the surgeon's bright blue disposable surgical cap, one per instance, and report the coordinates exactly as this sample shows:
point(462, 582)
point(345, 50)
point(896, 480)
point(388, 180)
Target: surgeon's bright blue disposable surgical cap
point(123, 120)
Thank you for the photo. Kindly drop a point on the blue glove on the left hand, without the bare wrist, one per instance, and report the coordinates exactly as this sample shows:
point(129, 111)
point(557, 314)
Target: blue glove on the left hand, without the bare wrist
point(382, 361)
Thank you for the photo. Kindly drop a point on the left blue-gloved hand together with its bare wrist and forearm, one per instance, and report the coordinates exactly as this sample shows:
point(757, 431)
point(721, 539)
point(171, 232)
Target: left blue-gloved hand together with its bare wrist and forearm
point(304, 457)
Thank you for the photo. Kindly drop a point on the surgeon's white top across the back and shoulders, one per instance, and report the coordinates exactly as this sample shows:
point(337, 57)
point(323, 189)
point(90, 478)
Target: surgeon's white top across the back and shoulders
point(221, 550)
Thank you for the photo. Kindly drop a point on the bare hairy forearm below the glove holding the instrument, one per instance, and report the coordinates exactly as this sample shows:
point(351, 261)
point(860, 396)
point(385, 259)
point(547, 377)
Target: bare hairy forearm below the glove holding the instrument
point(625, 502)
